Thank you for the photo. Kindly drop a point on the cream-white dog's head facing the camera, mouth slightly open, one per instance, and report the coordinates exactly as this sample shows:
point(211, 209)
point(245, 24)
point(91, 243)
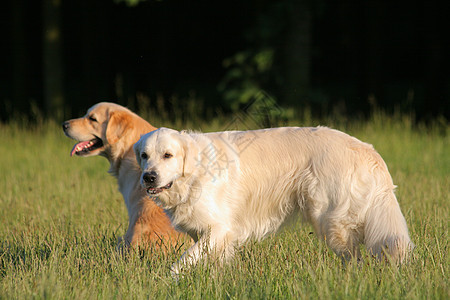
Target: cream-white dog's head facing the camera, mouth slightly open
point(164, 159)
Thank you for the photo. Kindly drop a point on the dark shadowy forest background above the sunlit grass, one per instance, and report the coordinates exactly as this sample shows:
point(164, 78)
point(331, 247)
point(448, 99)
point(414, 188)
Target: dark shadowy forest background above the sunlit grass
point(59, 57)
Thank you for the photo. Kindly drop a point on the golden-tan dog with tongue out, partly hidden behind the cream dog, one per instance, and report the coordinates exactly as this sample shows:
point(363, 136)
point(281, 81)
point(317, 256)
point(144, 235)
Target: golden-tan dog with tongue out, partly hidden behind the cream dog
point(110, 130)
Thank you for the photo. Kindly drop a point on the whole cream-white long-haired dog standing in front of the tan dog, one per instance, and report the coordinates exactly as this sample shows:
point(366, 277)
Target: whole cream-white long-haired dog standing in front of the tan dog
point(228, 187)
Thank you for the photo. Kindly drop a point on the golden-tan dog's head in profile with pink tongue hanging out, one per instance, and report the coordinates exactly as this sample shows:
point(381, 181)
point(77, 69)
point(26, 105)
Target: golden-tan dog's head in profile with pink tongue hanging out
point(106, 129)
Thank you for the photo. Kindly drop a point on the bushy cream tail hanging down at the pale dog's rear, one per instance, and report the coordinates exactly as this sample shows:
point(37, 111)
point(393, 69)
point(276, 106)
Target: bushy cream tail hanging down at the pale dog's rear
point(386, 233)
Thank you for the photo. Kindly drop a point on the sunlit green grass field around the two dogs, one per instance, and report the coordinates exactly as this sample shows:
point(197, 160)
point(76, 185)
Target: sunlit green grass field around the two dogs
point(60, 218)
